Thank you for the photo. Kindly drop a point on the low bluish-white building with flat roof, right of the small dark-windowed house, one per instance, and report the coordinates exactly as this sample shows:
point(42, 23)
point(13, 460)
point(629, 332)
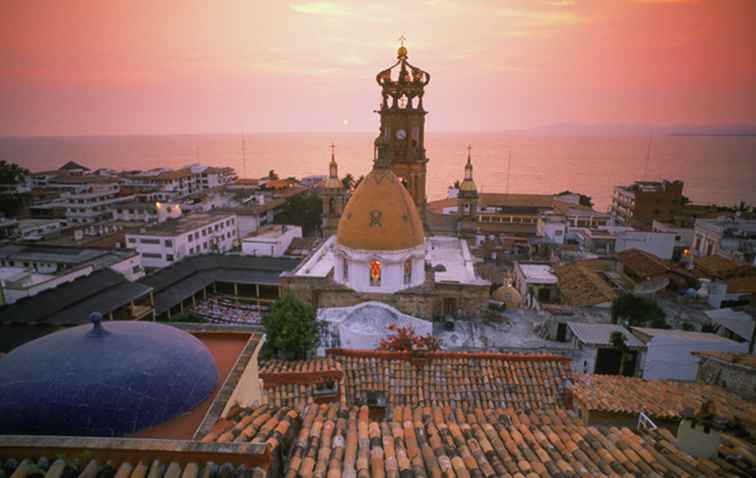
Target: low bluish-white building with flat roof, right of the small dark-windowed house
point(669, 351)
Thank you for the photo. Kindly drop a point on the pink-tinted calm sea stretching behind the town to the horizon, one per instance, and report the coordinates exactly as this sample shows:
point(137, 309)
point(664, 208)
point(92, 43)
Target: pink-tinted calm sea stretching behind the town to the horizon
point(716, 169)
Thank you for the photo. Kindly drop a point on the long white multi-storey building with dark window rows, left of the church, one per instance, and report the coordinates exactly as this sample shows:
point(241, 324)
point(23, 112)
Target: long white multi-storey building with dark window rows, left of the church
point(165, 243)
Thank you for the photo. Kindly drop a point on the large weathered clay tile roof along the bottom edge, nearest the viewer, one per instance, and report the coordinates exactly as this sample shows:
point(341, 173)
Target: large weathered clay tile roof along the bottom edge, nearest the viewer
point(338, 441)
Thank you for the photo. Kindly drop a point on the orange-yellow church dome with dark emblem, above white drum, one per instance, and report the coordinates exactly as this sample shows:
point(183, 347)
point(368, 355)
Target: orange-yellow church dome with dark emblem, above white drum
point(380, 216)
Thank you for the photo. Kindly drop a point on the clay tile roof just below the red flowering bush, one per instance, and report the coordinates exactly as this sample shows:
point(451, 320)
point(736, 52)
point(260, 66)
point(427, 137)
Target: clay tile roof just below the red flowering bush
point(465, 380)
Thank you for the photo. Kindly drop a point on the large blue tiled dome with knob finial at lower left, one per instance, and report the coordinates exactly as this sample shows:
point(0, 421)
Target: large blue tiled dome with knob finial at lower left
point(105, 379)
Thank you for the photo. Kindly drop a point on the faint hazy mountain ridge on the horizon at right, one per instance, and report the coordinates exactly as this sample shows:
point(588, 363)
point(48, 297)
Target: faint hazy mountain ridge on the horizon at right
point(644, 129)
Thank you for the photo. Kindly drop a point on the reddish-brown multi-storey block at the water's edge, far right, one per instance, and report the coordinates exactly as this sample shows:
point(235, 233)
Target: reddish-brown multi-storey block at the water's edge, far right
point(643, 201)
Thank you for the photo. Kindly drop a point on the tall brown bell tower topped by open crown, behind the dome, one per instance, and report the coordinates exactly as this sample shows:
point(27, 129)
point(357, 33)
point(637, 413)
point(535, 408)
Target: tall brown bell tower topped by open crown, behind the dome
point(401, 142)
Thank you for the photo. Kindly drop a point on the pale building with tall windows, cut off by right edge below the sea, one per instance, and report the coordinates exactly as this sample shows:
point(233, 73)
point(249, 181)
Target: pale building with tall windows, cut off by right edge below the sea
point(733, 238)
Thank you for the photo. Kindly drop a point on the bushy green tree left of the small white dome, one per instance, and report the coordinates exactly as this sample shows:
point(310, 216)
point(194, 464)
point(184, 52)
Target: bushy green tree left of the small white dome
point(291, 329)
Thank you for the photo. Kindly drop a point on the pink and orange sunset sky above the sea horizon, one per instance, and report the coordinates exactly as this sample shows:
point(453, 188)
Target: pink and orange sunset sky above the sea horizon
point(110, 67)
